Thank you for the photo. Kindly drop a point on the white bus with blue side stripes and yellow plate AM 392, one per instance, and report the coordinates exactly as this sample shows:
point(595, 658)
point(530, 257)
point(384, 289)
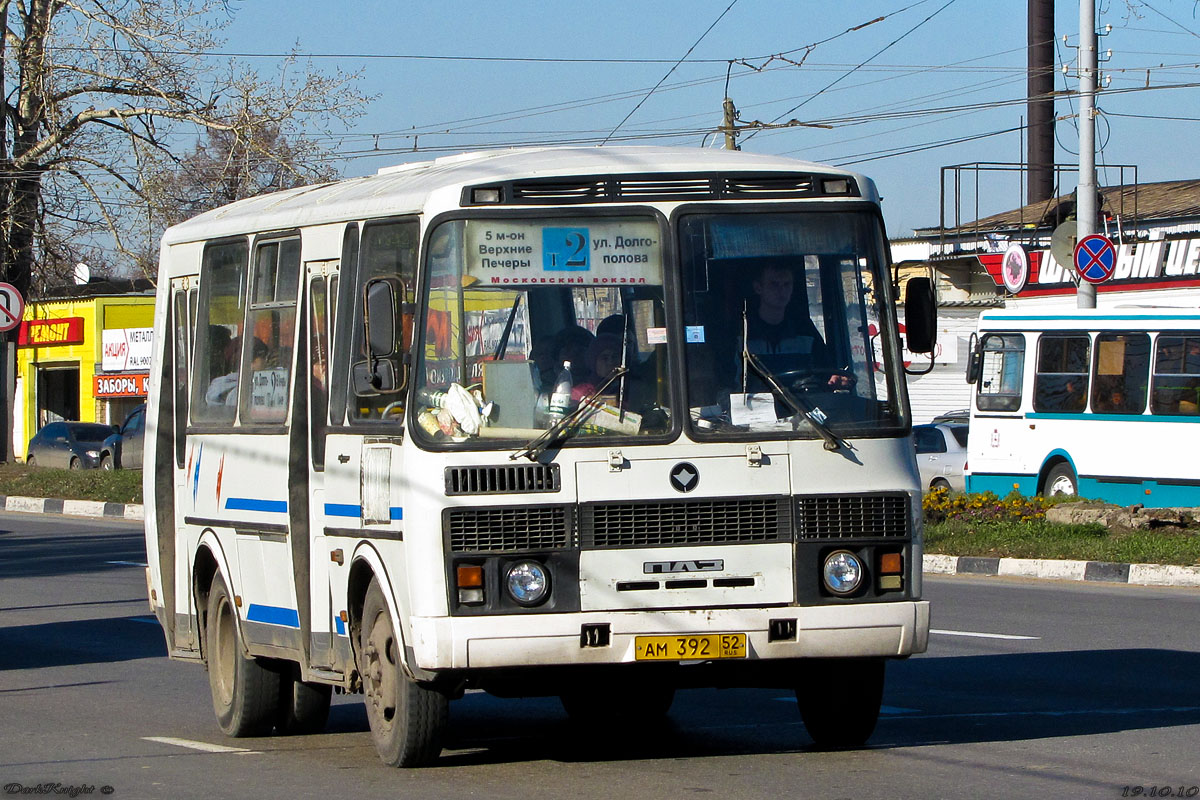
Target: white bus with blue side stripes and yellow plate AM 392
point(488, 423)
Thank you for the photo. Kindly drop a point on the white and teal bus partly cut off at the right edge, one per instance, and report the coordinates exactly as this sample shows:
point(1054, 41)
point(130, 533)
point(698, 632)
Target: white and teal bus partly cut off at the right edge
point(1099, 404)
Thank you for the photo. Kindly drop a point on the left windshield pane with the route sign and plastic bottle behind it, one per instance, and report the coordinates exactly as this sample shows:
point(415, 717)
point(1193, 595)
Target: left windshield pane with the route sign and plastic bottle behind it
point(529, 318)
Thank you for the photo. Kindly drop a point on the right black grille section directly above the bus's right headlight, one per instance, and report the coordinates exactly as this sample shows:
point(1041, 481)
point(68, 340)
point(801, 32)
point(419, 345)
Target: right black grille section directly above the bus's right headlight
point(853, 516)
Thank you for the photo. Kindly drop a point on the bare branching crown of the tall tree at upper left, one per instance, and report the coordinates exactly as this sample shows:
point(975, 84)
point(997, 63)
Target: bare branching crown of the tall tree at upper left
point(100, 97)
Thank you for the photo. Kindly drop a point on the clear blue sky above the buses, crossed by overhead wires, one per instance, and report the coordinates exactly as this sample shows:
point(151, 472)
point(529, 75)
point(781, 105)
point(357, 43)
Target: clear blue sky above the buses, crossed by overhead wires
point(459, 75)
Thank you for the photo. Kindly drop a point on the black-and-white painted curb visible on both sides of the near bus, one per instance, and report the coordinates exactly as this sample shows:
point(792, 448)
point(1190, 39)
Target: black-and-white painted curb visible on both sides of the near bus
point(1150, 575)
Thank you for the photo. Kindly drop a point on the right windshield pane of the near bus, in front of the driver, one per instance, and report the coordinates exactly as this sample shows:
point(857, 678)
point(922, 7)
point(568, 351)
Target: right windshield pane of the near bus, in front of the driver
point(782, 315)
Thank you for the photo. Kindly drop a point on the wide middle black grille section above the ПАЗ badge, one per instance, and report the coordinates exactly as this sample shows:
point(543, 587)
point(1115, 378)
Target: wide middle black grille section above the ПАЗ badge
point(736, 521)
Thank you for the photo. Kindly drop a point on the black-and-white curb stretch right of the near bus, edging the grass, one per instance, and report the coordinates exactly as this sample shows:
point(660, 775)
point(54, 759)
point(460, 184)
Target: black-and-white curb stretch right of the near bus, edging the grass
point(1147, 575)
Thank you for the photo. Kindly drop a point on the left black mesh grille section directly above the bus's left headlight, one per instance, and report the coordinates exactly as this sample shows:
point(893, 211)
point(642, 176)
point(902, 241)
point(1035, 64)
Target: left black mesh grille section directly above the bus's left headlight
point(508, 530)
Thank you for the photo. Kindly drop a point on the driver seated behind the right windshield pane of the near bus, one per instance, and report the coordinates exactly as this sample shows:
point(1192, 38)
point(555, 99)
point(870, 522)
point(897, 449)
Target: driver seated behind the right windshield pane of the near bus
point(785, 342)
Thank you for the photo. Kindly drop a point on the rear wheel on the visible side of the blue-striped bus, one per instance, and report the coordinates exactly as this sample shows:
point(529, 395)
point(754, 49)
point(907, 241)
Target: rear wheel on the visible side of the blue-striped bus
point(245, 693)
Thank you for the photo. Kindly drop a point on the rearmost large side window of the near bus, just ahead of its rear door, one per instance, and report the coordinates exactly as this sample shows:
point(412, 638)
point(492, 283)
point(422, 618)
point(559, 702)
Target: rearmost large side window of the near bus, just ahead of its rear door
point(220, 322)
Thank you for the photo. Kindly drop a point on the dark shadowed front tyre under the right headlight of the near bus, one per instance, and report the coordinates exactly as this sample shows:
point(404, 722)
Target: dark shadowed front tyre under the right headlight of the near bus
point(839, 701)
